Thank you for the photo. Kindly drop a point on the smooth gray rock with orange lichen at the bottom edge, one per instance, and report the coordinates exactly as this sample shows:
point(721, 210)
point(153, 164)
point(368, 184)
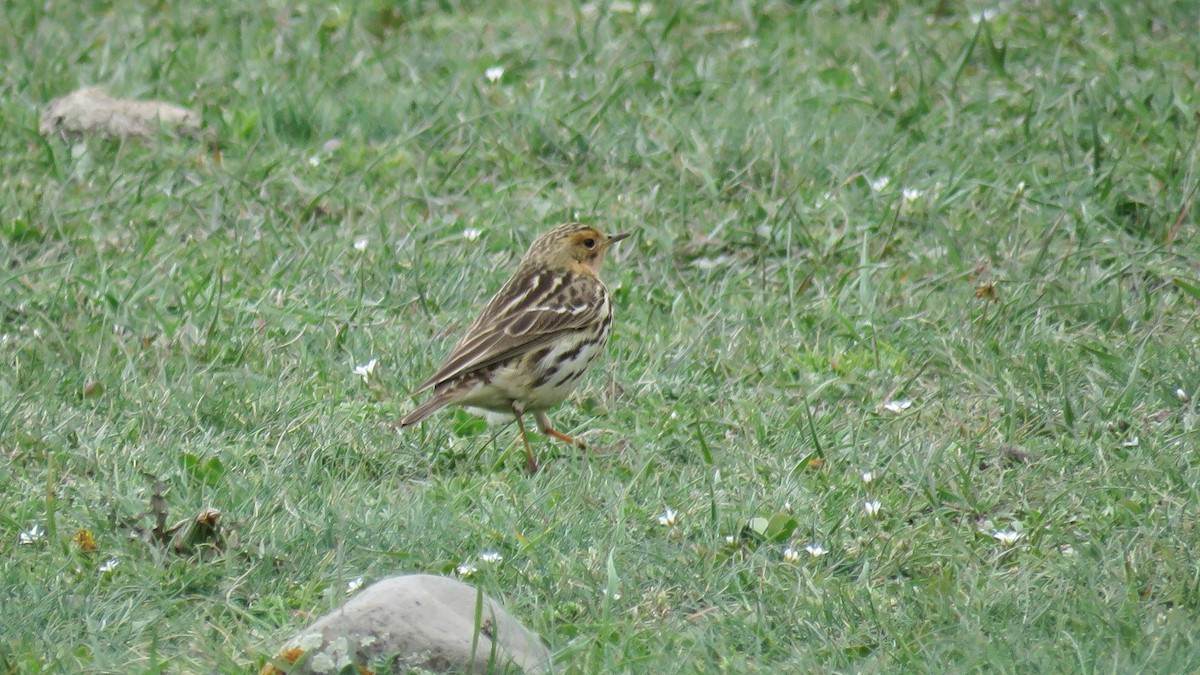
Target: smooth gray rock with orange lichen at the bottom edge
point(416, 622)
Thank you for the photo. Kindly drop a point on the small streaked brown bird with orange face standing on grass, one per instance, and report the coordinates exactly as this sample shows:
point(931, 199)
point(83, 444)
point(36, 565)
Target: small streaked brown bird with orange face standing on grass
point(536, 338)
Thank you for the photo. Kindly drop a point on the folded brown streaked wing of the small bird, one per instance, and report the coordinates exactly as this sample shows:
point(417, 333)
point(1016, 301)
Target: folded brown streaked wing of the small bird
point(526, 314)
